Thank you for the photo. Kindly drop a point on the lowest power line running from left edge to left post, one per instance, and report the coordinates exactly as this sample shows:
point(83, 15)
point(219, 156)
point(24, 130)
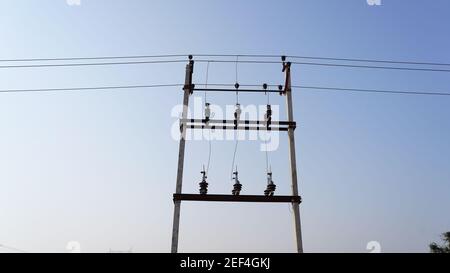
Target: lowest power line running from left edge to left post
point(89, 88)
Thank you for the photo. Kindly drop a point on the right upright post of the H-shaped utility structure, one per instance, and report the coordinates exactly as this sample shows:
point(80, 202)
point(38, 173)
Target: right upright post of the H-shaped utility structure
point(292, 158)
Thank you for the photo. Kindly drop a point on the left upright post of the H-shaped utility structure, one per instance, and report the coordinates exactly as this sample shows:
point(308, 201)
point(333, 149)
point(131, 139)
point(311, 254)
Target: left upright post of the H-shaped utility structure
point(187, 92)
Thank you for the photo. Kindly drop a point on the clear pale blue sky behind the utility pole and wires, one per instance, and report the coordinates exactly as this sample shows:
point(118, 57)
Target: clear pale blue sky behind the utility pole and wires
point(99, 167)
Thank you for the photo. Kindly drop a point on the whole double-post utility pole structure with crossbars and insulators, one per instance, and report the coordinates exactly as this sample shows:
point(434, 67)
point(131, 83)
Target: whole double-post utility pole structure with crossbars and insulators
point(238, 124)
